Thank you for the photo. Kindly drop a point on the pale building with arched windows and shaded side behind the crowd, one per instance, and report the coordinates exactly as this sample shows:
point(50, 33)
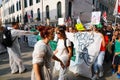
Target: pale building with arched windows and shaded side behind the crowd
point(27, 11)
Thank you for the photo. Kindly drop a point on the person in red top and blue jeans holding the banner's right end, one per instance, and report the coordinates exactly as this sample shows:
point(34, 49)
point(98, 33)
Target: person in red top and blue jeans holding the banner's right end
point(98, 65)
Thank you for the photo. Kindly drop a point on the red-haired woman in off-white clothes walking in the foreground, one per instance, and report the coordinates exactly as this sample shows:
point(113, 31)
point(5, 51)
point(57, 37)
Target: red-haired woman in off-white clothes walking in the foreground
point(42, 55)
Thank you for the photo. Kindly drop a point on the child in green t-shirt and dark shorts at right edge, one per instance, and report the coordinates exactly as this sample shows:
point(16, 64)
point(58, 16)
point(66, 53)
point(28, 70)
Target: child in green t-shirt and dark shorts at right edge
point(116, 60)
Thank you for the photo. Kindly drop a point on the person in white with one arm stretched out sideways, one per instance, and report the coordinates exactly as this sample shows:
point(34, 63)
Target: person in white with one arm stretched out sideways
point(15, 60)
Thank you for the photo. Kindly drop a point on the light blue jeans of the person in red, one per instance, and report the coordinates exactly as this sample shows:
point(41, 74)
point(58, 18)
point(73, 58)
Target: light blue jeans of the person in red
point(98, 65)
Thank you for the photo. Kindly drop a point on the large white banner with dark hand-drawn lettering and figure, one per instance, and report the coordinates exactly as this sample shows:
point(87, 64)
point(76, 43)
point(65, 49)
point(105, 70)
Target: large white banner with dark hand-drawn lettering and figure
point(87, 46)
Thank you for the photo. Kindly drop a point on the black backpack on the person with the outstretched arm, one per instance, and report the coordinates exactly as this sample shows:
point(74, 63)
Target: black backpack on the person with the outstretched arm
point(7, 38)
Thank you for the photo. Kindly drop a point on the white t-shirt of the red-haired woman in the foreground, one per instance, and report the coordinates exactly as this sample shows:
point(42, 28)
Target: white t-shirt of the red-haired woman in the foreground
point(42, 53)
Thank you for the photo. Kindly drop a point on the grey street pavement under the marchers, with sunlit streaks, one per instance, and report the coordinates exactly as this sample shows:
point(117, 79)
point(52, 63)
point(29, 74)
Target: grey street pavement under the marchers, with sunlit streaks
point(26, 56)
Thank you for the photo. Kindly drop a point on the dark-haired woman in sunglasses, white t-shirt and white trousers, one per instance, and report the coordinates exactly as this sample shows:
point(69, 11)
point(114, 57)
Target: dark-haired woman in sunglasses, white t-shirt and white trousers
point(64, 52)
